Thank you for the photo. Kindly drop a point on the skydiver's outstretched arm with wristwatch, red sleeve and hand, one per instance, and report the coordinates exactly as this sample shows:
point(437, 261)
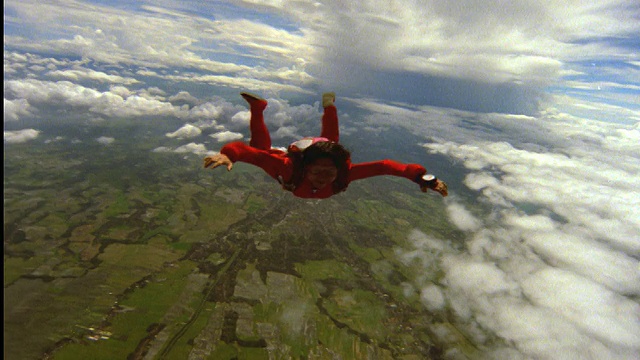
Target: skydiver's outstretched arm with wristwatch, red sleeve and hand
point(413, 172)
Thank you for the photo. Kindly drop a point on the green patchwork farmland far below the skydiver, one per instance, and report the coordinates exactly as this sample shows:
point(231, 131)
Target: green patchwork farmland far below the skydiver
point(130, 257)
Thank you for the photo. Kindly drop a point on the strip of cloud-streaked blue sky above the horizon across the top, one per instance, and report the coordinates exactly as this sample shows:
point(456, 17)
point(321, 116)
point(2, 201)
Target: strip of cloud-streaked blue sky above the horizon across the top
point(461, 55)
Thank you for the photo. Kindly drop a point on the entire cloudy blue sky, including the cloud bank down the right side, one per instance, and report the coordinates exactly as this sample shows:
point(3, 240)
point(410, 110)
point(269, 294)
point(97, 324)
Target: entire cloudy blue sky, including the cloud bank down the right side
point(535, 103)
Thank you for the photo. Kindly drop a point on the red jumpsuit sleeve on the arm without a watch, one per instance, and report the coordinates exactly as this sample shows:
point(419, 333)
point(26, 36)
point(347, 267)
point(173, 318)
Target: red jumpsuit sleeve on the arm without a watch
point(272, 162)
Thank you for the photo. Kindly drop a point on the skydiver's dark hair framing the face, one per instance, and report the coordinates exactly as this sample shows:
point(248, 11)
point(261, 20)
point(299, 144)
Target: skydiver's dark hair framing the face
point(340, 156)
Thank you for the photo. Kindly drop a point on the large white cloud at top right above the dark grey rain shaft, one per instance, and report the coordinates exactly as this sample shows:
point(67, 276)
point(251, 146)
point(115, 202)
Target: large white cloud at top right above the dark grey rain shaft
point(518, 42)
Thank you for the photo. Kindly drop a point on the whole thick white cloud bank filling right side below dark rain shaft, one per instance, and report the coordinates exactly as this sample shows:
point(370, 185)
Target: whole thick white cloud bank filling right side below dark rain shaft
point(550, 268)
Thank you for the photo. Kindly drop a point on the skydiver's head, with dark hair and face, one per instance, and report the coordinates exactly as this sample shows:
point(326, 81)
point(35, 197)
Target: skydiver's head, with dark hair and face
point(326, 163)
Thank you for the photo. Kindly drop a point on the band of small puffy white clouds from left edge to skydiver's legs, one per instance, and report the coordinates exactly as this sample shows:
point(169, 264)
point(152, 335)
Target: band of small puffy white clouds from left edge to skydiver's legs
point(45, 97)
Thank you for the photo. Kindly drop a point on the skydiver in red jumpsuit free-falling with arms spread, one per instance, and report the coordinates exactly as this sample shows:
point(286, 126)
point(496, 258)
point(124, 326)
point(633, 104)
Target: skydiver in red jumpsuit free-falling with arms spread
point(314, 167)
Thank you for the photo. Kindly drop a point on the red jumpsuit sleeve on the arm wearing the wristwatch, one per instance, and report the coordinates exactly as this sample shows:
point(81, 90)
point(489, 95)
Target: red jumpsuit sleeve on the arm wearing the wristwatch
point(386, 167)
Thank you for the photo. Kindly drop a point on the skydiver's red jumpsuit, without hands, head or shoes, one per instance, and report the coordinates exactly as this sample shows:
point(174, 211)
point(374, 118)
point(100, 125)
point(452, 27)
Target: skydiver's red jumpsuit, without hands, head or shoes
point(277, 164)
